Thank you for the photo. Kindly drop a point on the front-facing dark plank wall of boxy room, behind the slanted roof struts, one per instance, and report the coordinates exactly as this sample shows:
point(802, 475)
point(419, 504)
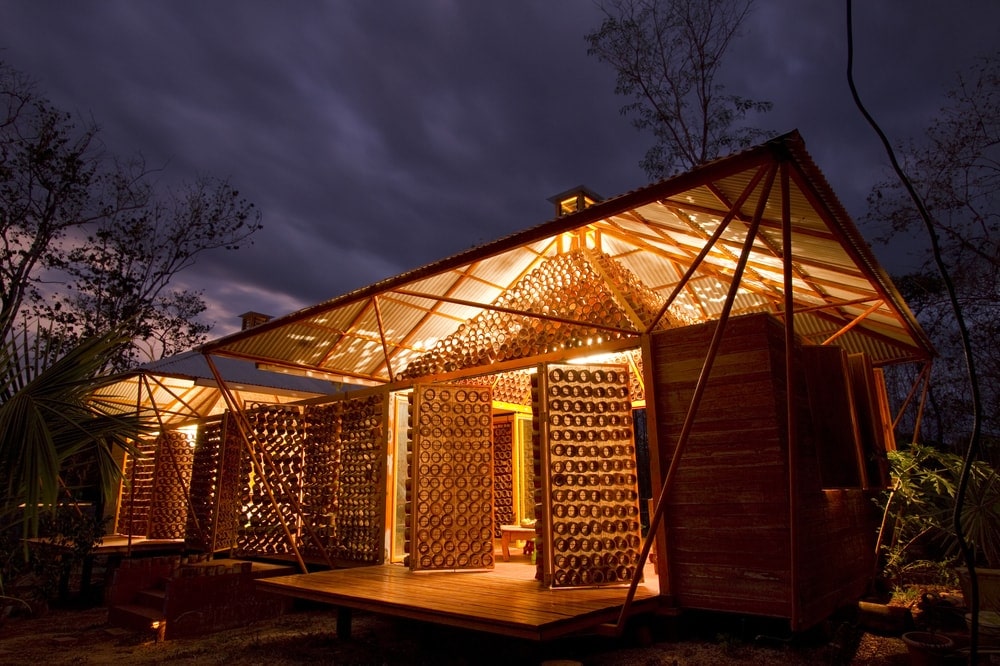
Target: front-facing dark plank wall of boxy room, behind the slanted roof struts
point(727, 522)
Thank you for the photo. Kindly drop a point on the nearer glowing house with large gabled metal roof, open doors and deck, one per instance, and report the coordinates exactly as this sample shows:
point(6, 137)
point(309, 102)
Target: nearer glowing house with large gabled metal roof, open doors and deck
point(693, 368)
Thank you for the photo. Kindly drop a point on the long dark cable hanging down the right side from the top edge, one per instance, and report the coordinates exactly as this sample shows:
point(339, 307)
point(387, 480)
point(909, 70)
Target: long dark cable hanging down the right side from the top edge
point(974, 437)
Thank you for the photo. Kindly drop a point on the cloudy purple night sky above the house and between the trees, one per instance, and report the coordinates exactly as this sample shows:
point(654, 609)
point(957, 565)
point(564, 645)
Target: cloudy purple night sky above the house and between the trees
point(378, 136)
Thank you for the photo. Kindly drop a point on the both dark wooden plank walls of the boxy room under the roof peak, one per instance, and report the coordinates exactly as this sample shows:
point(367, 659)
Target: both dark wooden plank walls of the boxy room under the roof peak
point(728, 518)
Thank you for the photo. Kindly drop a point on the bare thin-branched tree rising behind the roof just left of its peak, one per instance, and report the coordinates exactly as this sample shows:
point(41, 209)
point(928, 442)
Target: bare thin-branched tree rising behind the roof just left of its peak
point(668, 54)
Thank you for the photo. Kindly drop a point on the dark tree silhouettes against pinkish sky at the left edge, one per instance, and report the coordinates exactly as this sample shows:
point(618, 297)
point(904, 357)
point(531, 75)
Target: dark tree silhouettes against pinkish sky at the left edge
point(89, 243)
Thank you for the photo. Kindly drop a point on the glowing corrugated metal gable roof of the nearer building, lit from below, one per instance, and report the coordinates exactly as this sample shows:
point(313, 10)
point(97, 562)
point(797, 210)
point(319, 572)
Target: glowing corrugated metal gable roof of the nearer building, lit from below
point(654, 235)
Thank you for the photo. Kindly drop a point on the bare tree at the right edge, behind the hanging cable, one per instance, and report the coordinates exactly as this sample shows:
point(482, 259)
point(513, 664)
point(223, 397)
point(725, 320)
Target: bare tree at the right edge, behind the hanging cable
point(955, 168)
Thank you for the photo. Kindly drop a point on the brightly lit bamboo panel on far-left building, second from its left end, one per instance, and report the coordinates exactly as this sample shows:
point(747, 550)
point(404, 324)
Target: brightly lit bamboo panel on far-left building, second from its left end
point(171, 482)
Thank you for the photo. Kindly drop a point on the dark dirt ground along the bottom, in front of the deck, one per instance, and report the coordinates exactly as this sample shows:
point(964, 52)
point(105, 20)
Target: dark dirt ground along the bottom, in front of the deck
point(307, 636)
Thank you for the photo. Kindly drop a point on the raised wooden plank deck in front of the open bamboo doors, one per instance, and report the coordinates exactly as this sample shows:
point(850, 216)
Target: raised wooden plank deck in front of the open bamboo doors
point(503, 601)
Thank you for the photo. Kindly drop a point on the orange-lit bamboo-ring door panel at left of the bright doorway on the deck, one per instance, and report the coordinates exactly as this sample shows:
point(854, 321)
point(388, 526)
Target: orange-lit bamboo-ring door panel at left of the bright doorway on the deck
point(452, 491)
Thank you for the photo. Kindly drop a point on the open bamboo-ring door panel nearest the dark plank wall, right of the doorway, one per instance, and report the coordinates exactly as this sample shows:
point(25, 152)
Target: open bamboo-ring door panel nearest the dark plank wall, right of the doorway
point(588, 479)
